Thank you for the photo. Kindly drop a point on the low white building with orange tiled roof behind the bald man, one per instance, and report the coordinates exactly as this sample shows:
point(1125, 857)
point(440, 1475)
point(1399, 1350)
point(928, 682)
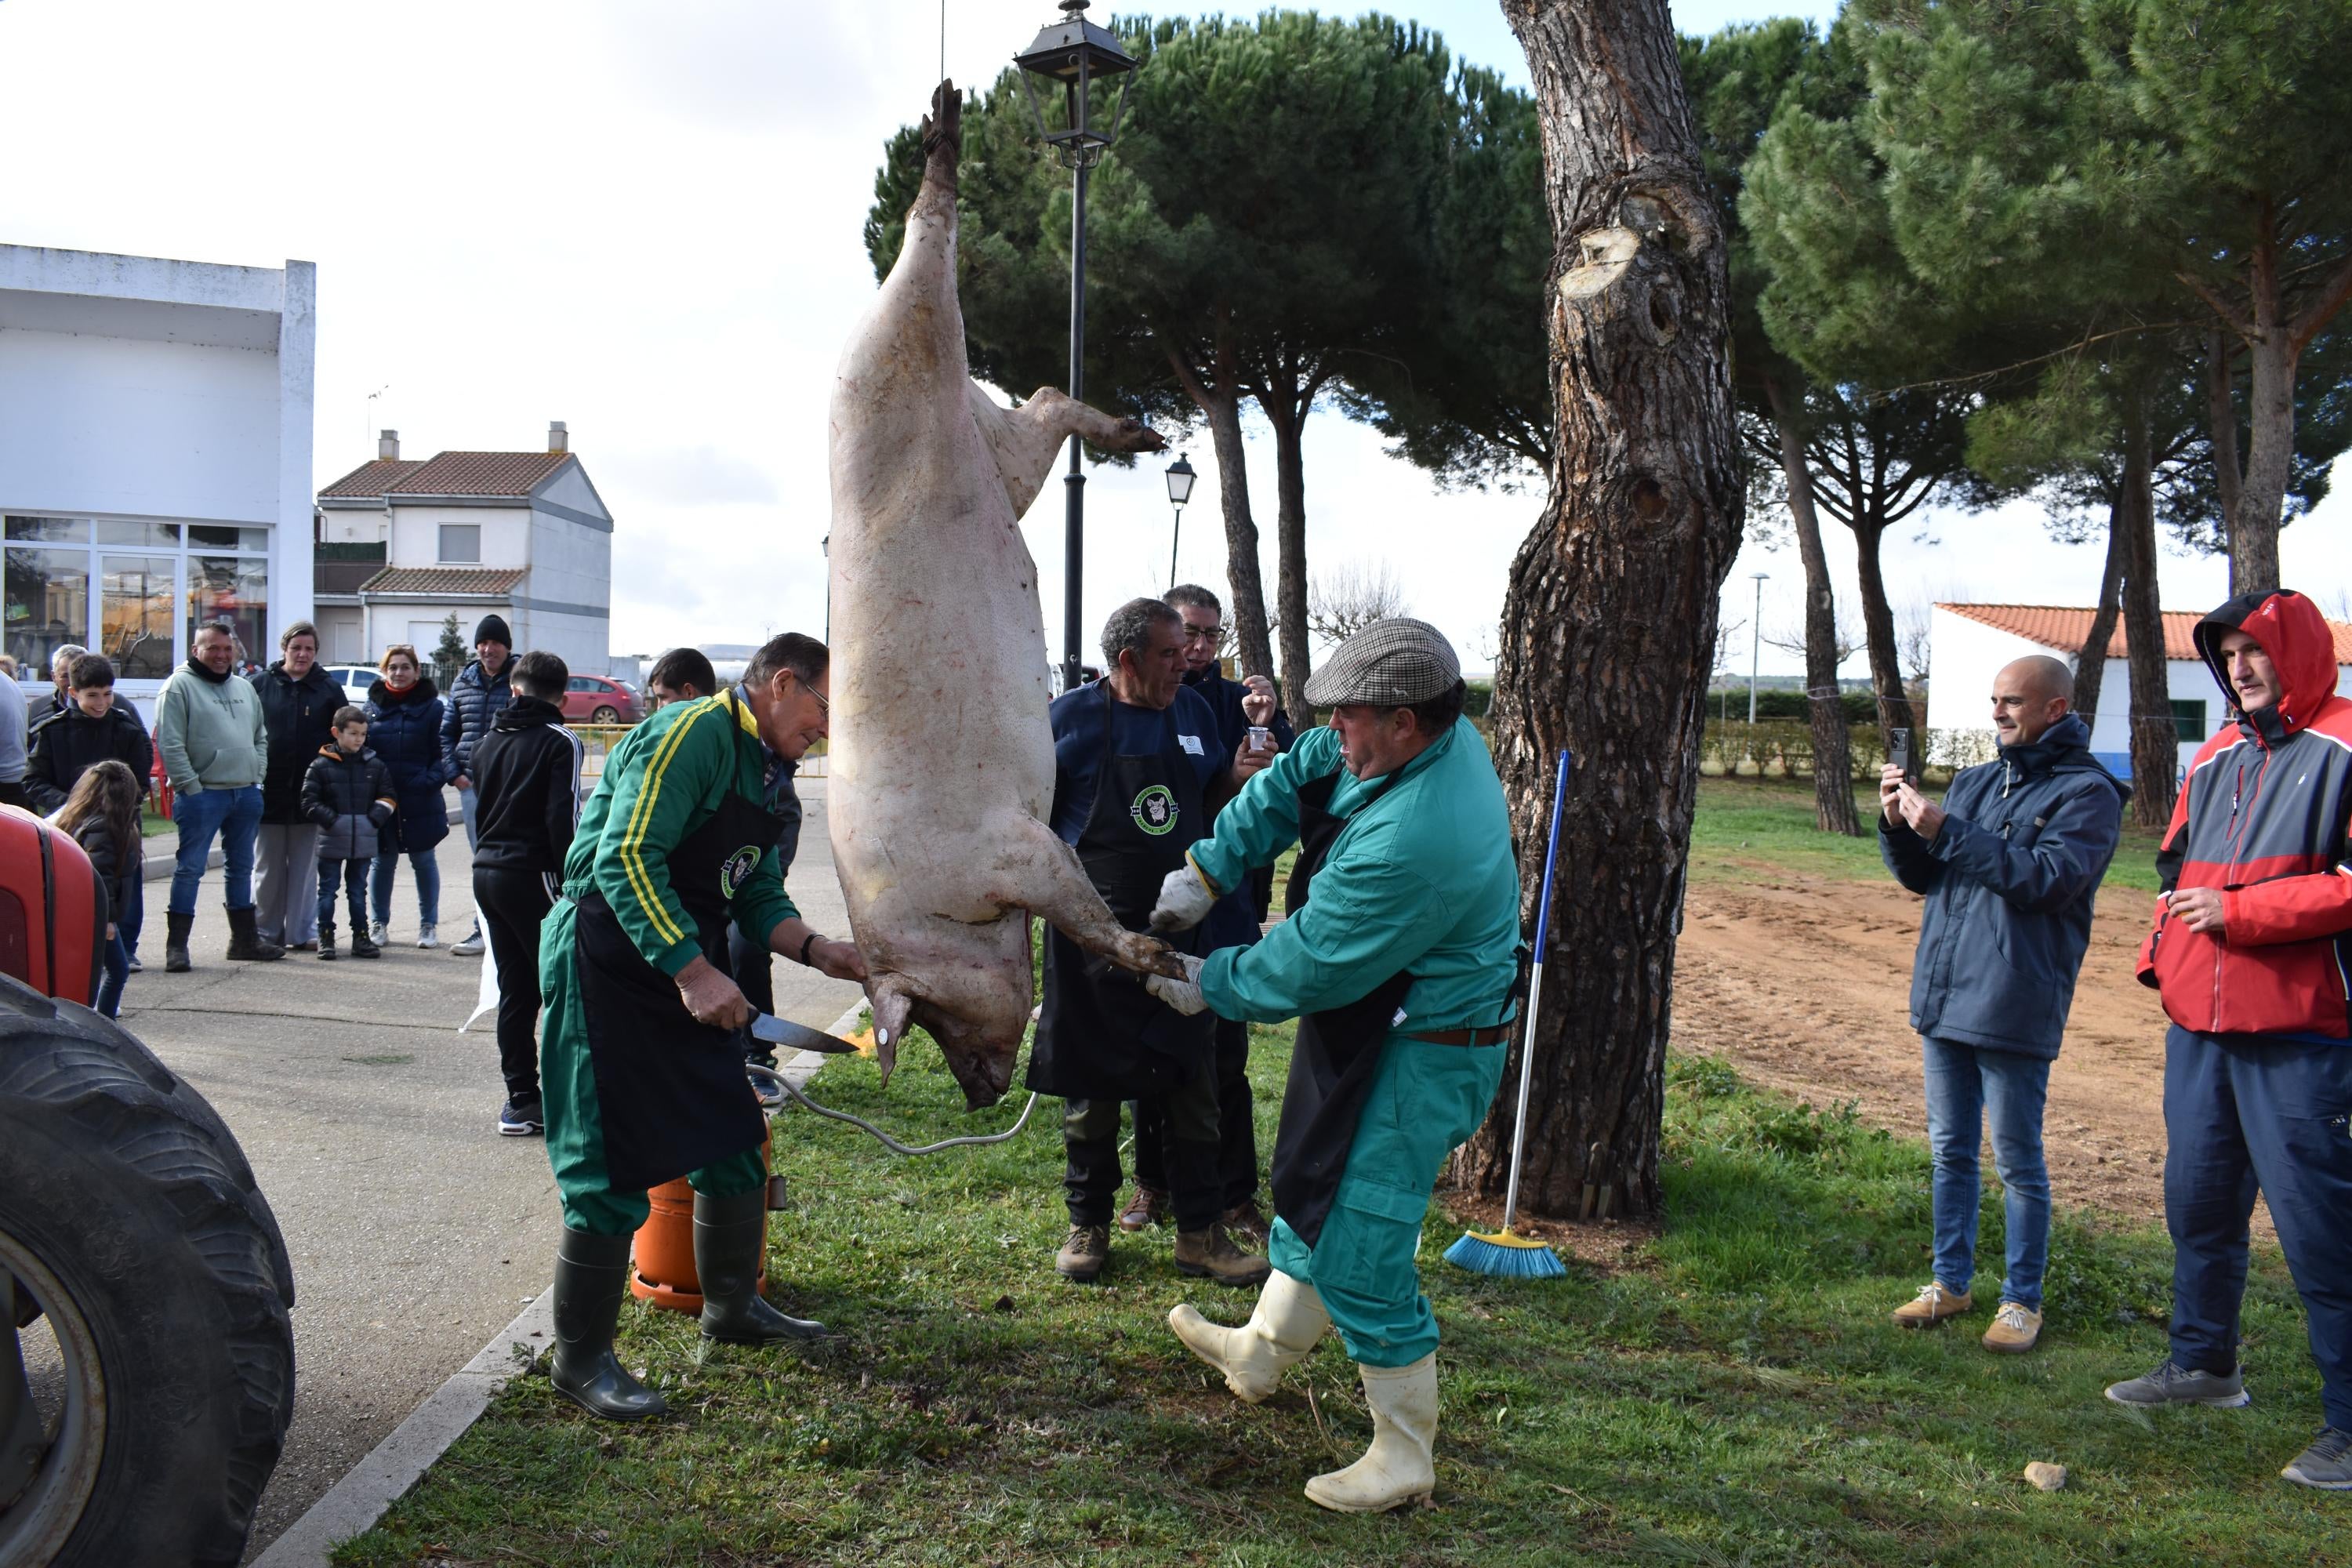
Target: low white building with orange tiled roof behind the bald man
point(1970, 645)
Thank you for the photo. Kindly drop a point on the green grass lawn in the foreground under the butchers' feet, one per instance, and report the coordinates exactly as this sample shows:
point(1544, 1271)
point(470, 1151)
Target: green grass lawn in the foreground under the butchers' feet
point(1725, 1393)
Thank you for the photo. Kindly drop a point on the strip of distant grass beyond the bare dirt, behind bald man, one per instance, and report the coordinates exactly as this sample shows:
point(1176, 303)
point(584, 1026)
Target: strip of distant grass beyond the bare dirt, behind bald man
point(1763, 831)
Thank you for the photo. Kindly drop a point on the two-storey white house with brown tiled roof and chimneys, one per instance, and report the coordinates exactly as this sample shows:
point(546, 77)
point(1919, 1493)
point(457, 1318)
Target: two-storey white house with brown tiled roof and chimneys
point(406, 544)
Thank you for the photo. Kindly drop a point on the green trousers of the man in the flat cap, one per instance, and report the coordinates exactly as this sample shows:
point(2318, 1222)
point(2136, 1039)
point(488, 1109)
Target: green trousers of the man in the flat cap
point(1424, 1101)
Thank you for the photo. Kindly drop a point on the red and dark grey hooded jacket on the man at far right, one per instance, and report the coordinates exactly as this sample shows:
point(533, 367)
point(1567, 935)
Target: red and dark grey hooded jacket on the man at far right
point(2264, 819)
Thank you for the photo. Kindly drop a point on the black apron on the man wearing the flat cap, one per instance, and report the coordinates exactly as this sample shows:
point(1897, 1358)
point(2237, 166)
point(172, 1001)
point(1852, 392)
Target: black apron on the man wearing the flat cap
point(1337, 1054)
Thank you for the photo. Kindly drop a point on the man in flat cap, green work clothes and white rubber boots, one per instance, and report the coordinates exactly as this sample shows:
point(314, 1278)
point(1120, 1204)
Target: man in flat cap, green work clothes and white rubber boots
point(1398, 960)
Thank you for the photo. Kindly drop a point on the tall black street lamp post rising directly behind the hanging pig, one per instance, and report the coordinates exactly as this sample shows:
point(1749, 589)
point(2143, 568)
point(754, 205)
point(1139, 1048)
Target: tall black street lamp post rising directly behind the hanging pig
point(1074, 55)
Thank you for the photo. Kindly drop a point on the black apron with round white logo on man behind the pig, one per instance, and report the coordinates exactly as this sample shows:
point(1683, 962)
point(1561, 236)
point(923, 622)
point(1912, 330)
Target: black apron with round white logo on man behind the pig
point(1102, 1036)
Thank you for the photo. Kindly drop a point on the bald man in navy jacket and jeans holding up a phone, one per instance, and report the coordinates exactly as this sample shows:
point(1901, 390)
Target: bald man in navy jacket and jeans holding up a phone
point(2010, 866)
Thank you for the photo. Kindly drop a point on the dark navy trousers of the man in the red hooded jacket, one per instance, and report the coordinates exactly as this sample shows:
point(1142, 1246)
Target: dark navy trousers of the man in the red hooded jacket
point(2245, 1113)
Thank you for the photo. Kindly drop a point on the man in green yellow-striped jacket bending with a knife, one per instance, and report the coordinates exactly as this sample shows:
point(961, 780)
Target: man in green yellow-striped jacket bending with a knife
point(641, 1073)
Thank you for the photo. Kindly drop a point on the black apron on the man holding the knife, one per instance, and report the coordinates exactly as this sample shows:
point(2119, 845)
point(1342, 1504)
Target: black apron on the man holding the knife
point(671, 1092)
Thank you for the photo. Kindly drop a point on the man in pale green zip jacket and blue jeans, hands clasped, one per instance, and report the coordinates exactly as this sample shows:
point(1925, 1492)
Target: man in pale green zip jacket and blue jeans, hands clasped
point(208, 728)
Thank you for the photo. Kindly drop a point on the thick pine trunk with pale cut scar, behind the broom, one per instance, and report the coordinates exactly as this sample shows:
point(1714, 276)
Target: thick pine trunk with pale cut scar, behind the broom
point(1610, 617)
